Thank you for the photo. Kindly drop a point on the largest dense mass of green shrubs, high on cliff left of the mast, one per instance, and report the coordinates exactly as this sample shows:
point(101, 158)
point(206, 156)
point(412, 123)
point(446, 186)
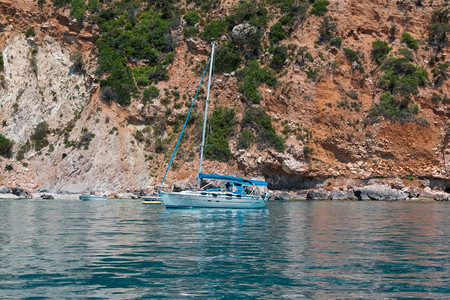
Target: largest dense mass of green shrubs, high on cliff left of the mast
point(124, 38)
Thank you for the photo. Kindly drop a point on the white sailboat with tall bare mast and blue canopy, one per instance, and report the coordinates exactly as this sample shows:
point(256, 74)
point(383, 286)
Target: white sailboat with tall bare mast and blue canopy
point(228, 192)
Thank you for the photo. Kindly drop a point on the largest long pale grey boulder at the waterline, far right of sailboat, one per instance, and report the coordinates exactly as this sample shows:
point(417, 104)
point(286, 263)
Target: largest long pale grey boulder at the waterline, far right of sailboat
point(379, 192)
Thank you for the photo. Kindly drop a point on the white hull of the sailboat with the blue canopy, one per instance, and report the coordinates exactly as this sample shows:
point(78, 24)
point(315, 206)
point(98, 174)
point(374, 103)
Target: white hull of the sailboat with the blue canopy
point(189, 199)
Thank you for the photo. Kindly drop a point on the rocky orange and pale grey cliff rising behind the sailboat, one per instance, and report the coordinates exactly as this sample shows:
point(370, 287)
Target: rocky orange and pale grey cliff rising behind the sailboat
point(326, 103)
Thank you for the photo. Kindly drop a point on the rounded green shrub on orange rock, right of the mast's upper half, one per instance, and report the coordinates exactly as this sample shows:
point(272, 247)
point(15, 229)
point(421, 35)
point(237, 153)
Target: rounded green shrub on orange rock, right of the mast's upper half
point(251, 77)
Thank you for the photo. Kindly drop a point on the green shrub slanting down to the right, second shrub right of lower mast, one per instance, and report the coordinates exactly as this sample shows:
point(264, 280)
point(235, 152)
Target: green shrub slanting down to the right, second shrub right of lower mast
point(260, 121)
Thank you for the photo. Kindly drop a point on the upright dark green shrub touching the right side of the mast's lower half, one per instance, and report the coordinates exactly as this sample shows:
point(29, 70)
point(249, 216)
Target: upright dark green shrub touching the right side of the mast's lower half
point(220, 127)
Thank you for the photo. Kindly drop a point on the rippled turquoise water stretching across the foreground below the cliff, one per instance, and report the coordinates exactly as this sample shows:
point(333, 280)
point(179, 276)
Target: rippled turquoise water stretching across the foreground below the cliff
point(123, 249)
